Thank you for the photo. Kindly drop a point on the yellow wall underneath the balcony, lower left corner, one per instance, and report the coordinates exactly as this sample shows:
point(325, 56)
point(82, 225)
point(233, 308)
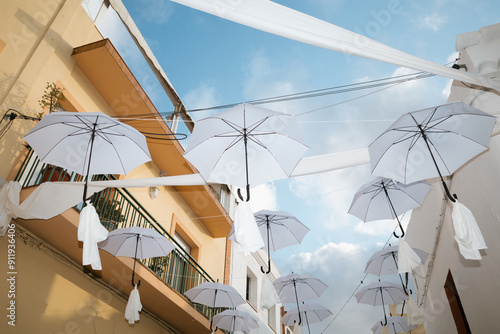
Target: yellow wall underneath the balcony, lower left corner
point(62, 299)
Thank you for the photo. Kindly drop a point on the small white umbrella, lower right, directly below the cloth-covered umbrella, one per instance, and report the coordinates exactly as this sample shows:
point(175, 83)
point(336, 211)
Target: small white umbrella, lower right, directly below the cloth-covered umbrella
point(381, 293)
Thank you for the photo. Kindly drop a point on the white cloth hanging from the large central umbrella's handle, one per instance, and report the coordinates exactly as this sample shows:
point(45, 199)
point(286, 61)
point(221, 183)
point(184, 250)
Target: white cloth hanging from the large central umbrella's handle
point(246, 232)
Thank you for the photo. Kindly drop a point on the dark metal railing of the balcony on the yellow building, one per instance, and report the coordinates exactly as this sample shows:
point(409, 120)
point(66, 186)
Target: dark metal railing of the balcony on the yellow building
point(117, 208)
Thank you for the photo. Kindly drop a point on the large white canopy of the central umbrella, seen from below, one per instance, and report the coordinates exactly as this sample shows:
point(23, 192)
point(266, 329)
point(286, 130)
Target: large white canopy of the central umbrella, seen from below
point(247, 145)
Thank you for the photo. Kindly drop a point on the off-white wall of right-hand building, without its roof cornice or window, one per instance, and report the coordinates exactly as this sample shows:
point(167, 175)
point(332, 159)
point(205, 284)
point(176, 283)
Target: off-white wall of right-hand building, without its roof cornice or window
point(477, 186)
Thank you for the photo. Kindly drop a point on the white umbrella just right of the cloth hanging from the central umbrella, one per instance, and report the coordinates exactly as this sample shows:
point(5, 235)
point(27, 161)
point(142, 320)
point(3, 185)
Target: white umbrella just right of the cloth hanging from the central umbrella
point(278, 229)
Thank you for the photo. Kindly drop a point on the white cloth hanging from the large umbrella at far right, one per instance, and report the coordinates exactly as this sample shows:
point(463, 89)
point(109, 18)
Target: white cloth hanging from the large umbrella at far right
point(467, 233)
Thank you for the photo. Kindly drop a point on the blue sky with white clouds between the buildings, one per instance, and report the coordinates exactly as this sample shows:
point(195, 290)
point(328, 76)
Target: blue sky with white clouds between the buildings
point(211, 62)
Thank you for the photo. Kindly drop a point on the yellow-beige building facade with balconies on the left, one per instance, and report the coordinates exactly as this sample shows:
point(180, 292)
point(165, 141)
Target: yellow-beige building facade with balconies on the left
point(48, 290)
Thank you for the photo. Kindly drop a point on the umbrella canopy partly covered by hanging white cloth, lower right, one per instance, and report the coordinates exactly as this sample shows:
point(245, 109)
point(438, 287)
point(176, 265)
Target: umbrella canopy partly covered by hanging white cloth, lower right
point(385, 261)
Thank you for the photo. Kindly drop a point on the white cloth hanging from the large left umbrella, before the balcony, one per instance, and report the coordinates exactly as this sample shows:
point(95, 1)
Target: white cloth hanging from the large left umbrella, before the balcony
point(90, 232)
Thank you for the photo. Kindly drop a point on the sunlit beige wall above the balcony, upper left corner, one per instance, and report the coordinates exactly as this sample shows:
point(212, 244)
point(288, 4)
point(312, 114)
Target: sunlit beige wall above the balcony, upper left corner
point(39, 37)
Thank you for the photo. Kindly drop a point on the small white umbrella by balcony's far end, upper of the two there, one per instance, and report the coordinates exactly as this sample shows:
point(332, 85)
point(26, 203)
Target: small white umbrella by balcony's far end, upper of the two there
point(215, 294)
